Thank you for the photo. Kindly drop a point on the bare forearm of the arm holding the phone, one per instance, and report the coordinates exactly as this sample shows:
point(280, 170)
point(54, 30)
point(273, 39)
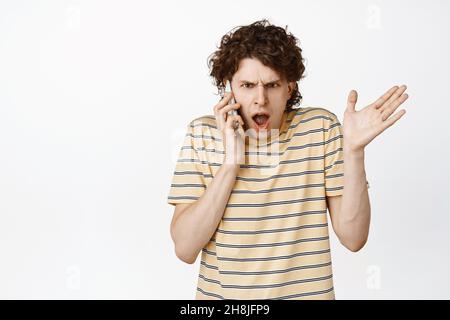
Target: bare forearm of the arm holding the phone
point(195, 227)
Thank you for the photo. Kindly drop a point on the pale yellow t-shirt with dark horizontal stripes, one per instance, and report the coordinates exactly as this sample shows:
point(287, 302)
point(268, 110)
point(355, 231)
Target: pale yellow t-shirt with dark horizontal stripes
point(272, 241)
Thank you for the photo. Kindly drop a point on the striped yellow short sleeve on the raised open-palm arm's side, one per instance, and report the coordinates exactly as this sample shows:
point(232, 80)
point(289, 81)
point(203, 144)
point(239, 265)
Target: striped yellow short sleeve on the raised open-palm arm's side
point(334, 157)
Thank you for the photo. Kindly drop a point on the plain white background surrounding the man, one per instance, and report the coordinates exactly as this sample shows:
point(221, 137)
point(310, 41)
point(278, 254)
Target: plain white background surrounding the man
point(95, 97)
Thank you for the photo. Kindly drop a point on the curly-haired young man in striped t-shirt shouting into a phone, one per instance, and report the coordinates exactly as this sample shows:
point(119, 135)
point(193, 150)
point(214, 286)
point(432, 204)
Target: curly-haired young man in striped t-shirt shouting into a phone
point(254, 200)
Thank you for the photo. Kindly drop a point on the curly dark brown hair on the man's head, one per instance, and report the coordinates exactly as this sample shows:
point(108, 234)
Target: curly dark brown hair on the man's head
point(270, 44)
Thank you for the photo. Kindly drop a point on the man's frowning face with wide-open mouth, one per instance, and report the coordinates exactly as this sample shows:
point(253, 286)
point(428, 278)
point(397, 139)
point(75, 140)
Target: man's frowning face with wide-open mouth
point(262, 94)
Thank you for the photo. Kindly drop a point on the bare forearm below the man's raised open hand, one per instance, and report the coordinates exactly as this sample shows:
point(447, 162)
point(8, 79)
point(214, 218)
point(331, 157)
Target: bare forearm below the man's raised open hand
point(354, 214)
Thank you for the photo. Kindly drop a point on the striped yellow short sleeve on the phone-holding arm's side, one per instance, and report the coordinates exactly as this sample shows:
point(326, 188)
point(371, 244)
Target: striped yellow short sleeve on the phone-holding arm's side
point(188, 181)
